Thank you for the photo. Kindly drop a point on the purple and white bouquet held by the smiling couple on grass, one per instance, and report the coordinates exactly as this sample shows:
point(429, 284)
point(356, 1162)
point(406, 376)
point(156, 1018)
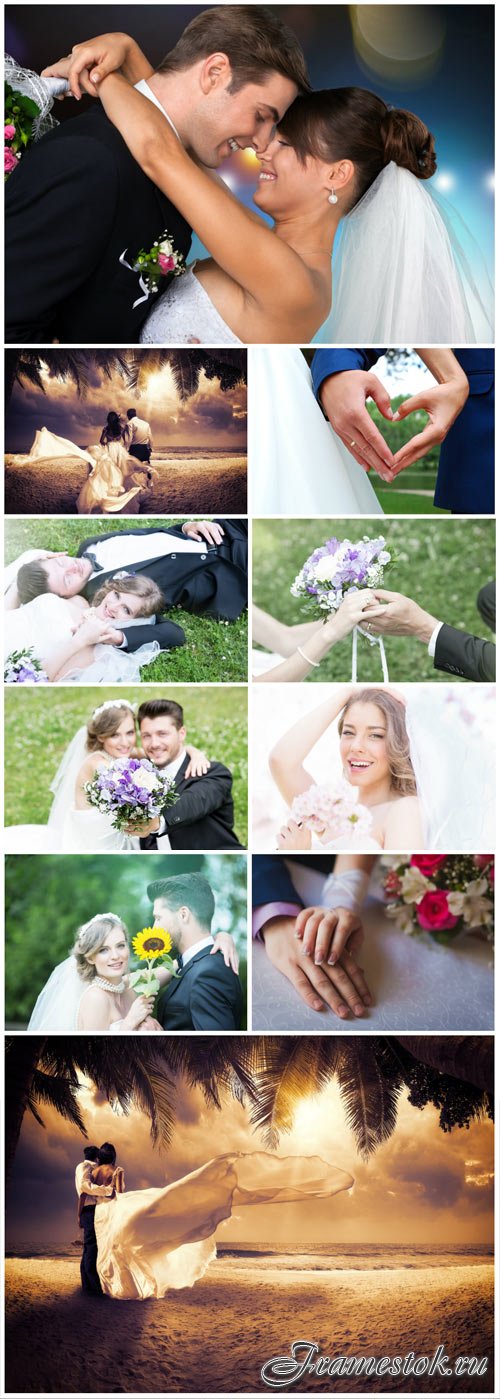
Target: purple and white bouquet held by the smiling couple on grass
point(131, 791)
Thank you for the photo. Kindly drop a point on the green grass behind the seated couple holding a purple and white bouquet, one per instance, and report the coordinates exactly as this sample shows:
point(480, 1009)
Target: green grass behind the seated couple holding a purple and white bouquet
point(40, 724)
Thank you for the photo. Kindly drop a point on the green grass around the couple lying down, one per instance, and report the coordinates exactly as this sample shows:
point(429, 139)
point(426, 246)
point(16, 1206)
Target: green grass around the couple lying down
point(214, 650)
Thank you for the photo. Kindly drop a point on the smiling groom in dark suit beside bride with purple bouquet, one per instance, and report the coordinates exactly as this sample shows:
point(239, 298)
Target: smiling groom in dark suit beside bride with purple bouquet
point(204, 815)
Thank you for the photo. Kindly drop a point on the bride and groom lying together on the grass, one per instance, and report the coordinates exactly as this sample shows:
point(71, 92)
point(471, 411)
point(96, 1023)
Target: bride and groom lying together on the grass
point(100, 618)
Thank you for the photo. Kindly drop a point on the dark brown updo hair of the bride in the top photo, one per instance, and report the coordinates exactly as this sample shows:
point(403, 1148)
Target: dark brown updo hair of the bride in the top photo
point(352, 124)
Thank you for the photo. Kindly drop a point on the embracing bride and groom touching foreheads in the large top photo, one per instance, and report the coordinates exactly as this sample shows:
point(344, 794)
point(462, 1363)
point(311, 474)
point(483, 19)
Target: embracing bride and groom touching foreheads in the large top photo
point(341, 171)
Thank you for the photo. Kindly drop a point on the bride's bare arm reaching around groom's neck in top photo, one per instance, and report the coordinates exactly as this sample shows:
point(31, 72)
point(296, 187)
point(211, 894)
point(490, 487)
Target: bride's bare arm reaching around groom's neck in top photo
point(246, 248)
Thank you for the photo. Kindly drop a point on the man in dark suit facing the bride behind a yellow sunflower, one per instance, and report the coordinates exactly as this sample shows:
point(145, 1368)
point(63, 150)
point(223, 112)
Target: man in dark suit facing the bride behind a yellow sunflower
point(205, 995)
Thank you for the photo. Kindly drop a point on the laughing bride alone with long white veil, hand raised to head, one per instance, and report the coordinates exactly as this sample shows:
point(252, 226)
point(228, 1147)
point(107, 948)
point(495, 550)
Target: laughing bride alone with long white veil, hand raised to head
point(421, 765)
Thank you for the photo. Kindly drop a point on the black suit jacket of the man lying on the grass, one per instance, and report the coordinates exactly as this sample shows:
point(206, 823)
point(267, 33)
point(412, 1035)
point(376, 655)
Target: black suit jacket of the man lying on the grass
point(214, 584)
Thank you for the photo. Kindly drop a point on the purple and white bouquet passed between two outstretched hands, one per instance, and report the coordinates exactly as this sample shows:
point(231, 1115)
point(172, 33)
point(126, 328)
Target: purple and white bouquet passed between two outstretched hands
point(340, 567)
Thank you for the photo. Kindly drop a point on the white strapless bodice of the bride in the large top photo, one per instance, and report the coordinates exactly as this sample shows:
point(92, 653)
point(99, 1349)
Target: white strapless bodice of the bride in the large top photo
point(187, 317)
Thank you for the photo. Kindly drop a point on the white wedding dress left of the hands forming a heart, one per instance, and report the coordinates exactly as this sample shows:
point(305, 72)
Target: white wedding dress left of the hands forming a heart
point(298, 465)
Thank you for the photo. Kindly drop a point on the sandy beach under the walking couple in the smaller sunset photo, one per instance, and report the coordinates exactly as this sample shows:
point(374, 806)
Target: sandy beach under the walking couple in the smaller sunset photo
point(190, 485)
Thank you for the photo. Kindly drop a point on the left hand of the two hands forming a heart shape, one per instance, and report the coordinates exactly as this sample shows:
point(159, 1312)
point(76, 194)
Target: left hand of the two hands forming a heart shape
point(344, 398)
